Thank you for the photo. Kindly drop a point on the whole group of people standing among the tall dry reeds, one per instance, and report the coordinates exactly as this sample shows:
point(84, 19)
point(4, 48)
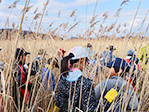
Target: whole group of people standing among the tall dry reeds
point(74, 91)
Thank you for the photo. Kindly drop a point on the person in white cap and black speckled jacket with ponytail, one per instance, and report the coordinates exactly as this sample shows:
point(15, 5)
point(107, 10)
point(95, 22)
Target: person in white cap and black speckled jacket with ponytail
point(75, 91)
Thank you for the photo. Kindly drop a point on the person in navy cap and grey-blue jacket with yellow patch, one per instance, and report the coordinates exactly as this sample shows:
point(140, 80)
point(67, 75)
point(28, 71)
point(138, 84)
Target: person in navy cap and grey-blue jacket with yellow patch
point(117, 92)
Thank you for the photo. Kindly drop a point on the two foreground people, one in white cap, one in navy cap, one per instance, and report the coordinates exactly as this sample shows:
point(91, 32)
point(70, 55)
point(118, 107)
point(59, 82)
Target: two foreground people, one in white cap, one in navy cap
point(74, 91)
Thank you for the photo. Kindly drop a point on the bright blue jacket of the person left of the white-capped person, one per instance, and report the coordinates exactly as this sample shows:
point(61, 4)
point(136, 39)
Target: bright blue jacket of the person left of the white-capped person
point(51, 82)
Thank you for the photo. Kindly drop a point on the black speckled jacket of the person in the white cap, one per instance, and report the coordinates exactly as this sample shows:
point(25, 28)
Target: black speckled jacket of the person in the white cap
point(62, 95)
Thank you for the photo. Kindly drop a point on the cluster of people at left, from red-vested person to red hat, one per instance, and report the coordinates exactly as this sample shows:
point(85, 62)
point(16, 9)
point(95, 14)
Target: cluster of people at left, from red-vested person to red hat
point(39, 69)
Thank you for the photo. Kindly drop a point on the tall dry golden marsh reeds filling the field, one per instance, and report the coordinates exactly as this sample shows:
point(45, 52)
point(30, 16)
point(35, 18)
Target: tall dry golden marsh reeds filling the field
point(52, 43)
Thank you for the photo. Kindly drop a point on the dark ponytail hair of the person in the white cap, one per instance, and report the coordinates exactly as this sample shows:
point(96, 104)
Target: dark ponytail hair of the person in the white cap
point(64, 64)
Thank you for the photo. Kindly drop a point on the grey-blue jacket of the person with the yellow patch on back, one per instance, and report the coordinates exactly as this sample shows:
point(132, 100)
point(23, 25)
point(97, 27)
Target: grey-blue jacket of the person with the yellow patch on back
point(119, 84)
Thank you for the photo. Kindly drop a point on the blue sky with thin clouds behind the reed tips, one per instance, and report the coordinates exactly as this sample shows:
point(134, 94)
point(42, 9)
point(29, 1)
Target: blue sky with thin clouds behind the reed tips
point(84, 13)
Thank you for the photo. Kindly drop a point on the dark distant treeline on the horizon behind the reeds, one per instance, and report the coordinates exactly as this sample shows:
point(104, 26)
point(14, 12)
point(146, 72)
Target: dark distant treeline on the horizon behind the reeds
point(24, 34)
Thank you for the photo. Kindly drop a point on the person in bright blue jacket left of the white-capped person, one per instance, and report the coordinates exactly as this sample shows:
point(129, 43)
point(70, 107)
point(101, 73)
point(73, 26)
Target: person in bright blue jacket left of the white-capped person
point(48, 80)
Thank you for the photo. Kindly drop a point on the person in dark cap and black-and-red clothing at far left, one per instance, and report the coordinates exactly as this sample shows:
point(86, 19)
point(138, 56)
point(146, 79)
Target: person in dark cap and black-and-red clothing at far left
point(20, 78)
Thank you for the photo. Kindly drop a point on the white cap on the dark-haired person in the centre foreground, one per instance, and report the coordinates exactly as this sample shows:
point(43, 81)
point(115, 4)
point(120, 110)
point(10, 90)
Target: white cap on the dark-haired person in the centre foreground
point(78, 52)
